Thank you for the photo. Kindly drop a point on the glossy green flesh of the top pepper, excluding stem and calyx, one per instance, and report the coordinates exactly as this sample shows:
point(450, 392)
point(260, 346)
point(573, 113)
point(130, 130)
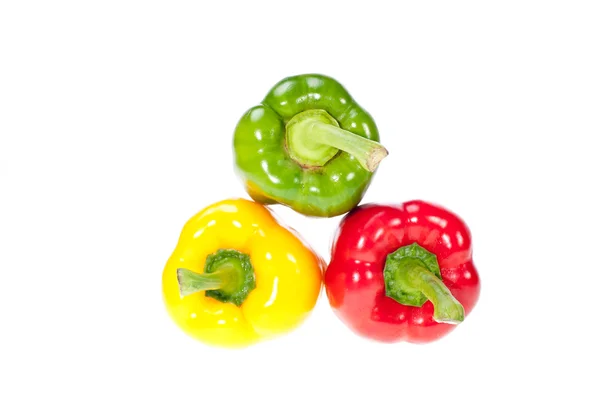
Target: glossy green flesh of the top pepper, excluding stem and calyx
point(268, 172)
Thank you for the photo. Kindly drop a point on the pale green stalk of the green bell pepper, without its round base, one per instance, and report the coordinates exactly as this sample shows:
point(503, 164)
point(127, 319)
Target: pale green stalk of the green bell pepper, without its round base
point(367, 152)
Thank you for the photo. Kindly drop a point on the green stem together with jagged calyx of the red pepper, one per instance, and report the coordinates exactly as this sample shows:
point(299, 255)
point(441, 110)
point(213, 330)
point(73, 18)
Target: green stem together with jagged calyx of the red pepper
point(412, 276)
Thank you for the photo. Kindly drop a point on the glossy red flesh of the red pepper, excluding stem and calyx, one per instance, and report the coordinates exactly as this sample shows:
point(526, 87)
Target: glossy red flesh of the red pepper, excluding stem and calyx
point(354, 278)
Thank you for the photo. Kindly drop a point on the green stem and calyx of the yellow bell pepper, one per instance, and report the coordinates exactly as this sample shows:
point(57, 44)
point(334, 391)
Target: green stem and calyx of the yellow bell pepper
point(228, 277)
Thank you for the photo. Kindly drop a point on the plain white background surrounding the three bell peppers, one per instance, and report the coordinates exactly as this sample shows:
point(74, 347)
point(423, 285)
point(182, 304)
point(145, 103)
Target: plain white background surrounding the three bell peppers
point(116, 121)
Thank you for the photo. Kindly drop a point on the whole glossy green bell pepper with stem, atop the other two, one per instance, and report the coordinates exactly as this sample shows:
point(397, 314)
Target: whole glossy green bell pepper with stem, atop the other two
point(309, 146)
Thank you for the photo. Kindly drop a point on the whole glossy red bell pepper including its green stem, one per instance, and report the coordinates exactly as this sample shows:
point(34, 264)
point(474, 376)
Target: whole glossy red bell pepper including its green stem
point(402, 273)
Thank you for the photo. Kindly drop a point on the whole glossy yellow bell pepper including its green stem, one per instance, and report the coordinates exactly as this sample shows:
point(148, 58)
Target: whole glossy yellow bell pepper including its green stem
point(237, 276)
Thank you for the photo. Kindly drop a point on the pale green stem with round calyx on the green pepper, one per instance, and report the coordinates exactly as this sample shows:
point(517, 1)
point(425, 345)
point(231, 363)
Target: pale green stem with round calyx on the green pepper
point(314, 137)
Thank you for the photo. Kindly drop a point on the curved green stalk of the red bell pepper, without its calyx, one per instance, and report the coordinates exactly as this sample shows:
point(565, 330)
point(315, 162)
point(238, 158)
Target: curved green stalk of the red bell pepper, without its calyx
point(446, 308)
